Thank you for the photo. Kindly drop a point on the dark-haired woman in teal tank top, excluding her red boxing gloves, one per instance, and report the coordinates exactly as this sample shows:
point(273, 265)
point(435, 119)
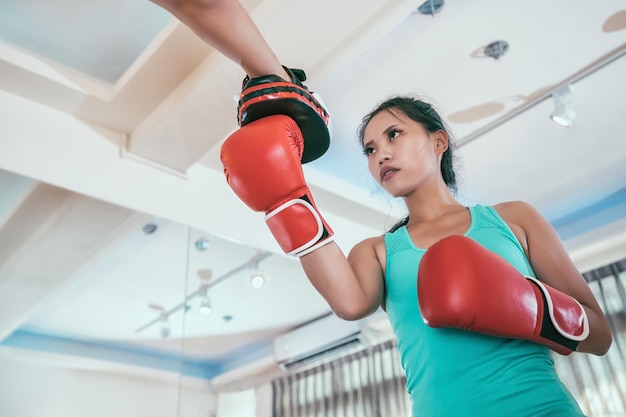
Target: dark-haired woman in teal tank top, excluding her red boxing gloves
point(451, 372)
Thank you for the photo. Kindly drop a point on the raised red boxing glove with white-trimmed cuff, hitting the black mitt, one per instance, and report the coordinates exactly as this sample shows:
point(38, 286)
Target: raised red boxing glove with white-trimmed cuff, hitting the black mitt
point(262, 166)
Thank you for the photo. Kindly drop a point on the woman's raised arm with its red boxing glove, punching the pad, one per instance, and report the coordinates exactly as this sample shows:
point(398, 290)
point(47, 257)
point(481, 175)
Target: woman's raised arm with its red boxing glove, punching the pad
point(352, 286)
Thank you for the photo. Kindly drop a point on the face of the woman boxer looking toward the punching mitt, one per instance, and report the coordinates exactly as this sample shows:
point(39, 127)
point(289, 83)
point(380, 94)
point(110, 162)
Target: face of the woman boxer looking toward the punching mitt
point(401, 153)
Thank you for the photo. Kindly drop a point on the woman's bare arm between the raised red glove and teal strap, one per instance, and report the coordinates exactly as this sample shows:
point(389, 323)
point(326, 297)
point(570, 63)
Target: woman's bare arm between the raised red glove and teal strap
point(353, 286)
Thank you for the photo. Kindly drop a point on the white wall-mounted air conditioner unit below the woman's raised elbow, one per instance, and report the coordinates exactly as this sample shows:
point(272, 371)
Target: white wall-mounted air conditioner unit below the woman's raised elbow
point(318, 341)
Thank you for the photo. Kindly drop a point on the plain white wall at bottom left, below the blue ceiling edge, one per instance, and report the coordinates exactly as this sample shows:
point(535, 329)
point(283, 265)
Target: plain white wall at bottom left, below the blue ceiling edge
point(43, 385)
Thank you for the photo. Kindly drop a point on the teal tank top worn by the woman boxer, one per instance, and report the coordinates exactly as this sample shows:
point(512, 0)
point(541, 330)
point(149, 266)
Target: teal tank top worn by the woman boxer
point(453, 372)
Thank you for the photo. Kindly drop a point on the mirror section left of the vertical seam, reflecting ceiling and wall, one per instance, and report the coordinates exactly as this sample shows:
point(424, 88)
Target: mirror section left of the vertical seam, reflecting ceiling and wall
point(78, 277)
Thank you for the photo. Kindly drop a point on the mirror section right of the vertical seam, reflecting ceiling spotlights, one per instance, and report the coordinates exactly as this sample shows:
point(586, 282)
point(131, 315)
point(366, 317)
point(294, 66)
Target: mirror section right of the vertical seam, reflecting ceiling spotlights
point(238, 329)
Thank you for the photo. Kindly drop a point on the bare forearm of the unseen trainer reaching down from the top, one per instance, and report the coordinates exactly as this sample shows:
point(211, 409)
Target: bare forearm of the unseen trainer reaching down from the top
point(226, 25)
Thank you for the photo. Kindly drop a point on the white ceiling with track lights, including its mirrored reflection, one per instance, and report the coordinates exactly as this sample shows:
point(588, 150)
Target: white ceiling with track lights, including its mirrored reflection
point(112, 114)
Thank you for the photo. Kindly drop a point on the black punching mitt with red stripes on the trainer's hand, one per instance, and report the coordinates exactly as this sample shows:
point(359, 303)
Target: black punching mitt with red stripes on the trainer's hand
point(270, 95)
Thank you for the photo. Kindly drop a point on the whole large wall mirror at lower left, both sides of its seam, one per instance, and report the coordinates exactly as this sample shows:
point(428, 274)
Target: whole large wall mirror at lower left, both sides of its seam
point(108, 304)
